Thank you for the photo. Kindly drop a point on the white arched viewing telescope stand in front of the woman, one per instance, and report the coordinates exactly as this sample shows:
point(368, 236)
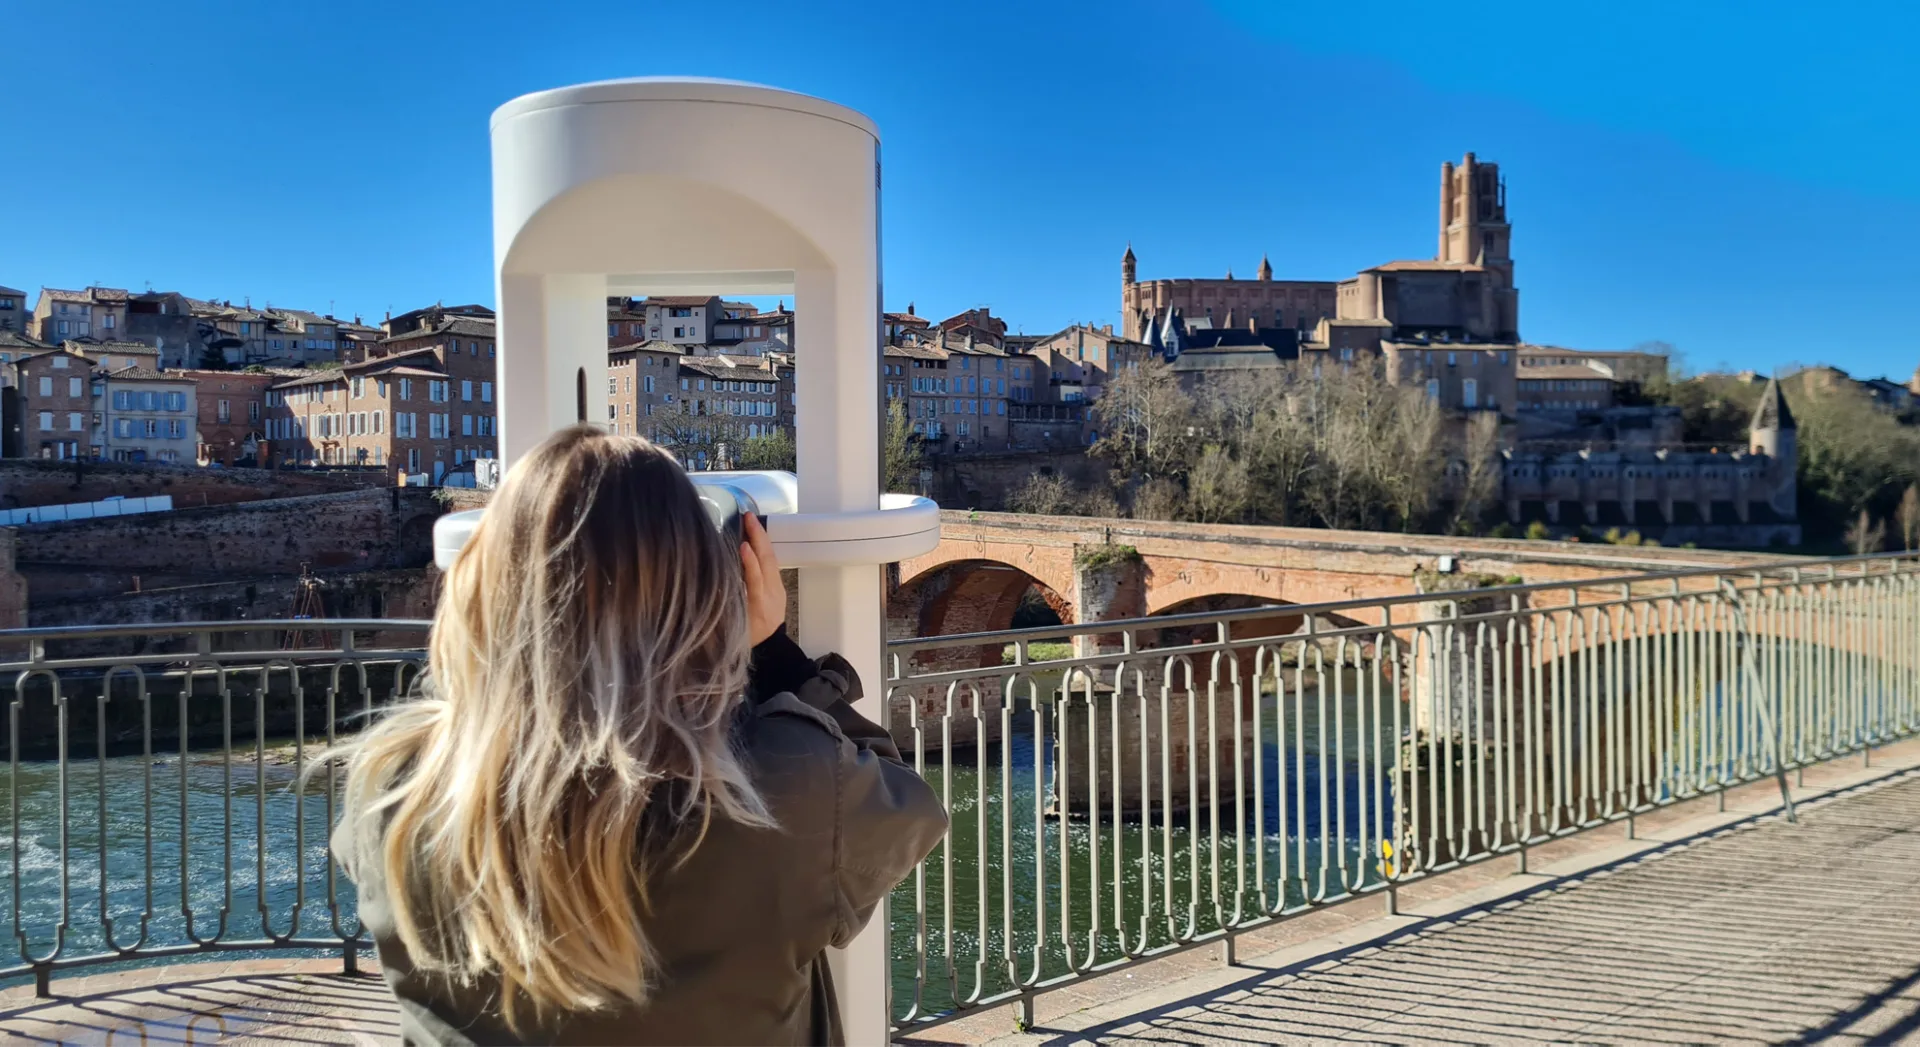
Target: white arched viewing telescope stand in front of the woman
point(711, 187)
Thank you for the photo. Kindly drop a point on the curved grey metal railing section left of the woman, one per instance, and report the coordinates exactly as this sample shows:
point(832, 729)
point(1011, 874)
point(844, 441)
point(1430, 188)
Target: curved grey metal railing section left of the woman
point(153, 787)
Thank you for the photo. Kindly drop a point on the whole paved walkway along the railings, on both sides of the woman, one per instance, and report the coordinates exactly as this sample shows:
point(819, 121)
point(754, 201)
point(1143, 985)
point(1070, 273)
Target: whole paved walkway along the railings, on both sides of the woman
point(1717, 929)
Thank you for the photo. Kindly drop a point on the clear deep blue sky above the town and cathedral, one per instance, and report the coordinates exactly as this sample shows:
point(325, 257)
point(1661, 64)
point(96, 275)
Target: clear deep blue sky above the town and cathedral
point(1737, 178)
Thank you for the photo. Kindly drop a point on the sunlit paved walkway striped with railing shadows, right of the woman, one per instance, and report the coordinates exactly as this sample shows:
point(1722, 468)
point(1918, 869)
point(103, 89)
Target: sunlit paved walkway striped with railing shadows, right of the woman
point(1762, 933)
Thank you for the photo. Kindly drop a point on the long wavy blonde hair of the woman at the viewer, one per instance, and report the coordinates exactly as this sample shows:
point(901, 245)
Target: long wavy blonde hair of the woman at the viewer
point(587, 662)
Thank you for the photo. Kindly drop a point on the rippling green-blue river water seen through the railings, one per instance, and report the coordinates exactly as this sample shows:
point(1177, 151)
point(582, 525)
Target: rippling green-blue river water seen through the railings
point(210, 848)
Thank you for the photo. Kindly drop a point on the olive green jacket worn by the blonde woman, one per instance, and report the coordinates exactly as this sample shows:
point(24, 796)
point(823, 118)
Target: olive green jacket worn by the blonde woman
point(742, 927)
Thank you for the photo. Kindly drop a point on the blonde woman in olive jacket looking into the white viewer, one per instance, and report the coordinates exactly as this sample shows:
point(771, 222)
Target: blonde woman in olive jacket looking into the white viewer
point(627, 808)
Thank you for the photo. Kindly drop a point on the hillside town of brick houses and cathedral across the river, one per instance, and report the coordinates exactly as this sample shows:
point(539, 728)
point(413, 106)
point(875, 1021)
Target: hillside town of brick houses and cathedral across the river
point(1572, 443)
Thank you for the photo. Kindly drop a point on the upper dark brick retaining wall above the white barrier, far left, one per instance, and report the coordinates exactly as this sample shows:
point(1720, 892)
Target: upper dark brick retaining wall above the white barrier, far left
point(55, 483)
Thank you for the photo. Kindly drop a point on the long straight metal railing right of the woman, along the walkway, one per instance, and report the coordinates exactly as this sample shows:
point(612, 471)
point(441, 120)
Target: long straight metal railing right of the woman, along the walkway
point(1124, 791)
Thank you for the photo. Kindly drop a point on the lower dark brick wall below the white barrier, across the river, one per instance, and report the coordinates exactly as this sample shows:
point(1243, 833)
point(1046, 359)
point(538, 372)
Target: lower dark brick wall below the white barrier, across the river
point(375, 529)
